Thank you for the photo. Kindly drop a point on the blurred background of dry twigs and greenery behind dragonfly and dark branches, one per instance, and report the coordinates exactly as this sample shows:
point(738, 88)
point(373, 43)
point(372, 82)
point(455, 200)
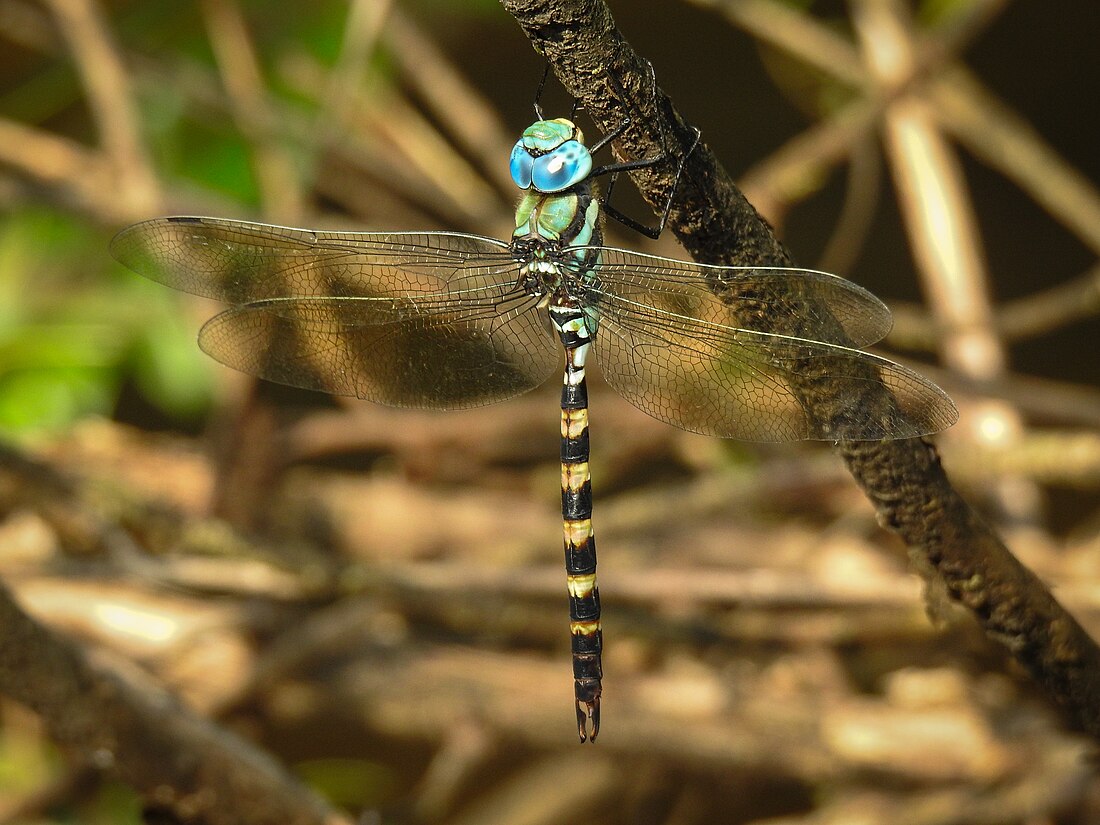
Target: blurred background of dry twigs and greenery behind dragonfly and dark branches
point(376, 597)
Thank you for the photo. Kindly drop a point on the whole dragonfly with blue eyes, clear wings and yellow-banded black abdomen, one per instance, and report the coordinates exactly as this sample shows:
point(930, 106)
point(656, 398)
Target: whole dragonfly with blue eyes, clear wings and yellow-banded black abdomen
point(449, 321)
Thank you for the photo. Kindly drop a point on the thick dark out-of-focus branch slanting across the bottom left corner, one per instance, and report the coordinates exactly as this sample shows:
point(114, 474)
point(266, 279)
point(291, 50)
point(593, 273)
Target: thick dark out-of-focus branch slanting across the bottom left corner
point(179, 762)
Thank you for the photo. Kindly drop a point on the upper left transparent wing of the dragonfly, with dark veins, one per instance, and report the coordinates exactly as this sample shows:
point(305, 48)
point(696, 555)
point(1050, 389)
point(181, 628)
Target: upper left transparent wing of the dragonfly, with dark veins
point(237, 262)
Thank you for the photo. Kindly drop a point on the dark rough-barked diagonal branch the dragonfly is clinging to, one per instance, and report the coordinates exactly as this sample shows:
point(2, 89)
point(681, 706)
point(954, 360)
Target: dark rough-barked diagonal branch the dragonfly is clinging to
point(904, 479)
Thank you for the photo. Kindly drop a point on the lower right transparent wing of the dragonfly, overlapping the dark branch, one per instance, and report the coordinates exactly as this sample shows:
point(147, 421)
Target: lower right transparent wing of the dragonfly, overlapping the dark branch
point(738, 383)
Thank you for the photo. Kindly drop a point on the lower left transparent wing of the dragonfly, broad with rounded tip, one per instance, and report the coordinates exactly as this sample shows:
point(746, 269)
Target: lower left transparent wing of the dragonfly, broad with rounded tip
point(437, 355)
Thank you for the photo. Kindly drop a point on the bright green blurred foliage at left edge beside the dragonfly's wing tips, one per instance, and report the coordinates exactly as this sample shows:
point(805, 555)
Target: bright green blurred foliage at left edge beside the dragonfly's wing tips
point(75, 327)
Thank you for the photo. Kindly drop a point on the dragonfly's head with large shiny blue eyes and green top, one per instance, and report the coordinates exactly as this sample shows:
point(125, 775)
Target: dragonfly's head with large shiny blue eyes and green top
point(552, 157)
